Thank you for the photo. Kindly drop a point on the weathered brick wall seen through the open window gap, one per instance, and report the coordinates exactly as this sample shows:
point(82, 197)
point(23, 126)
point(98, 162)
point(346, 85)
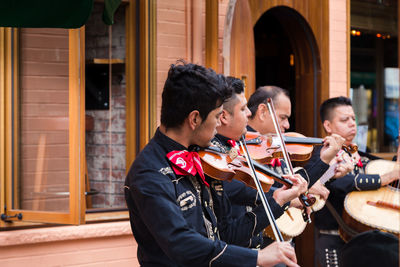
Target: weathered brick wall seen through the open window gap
point(105, 143)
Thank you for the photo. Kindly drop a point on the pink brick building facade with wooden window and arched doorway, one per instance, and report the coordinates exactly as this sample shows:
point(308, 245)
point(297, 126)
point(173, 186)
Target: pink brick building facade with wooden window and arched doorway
point(78, 104)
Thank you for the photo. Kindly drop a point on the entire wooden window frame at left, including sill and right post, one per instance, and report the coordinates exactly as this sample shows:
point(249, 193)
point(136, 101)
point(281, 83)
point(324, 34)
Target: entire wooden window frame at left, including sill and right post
point(140, 73)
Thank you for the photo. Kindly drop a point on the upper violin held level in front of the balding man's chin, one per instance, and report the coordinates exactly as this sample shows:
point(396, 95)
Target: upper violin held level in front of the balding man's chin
point(264, 148)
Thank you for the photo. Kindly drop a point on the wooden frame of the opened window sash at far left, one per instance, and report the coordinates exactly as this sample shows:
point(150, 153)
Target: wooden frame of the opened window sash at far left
point(10, 125)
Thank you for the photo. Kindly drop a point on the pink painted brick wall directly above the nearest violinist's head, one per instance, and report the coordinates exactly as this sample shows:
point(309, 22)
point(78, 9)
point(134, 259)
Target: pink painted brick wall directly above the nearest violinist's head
point(174, 37)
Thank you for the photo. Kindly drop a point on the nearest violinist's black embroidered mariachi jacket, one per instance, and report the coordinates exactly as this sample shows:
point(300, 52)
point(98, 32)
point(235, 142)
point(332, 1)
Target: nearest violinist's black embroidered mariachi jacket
point(178, 221)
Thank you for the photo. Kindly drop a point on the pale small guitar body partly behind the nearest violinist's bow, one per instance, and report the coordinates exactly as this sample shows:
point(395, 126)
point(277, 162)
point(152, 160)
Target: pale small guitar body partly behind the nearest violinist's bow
point(289, 227)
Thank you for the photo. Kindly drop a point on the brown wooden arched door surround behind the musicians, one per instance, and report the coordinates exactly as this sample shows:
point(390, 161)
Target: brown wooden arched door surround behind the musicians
point(303, 31)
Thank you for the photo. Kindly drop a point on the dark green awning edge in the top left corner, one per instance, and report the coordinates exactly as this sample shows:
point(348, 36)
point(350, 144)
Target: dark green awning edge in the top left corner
point(52, 13)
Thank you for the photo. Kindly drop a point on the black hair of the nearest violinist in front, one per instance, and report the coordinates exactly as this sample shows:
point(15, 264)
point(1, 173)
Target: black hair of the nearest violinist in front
point(191, 87)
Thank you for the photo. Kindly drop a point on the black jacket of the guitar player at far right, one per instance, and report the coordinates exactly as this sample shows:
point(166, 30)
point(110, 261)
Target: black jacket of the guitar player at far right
point(339, 188)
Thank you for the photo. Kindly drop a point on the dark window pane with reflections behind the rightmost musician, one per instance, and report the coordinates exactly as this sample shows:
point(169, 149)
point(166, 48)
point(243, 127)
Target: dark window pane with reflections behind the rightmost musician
point(375, 74)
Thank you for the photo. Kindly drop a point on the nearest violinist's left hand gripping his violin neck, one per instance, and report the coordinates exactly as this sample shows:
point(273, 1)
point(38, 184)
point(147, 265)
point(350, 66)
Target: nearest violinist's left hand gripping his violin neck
point(285, 194)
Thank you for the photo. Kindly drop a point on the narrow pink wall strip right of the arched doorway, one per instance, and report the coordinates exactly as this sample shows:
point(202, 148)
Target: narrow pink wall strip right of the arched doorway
point(338, 48)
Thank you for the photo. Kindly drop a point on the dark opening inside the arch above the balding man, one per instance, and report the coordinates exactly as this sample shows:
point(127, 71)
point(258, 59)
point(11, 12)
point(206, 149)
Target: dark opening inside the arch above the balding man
point(274, 58)
